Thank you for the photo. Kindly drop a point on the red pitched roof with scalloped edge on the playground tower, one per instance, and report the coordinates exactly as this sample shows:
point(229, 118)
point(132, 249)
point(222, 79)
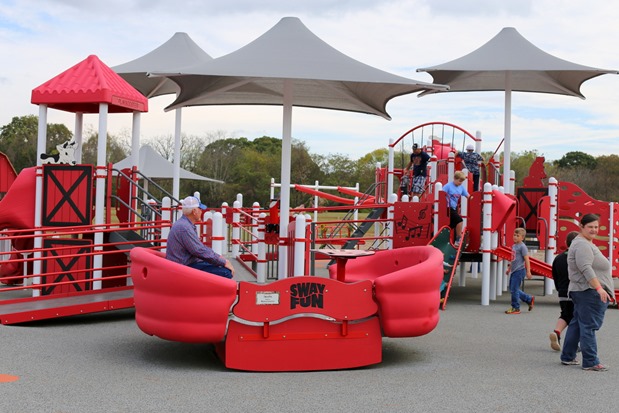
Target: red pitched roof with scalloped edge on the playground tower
point(82, 87)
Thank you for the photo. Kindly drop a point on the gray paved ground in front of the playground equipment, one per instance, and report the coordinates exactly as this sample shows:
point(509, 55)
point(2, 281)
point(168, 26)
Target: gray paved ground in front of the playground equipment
point(477, 360)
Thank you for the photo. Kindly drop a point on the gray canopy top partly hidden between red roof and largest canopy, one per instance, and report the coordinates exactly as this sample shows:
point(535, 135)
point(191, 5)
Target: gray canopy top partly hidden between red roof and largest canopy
point(176, 53)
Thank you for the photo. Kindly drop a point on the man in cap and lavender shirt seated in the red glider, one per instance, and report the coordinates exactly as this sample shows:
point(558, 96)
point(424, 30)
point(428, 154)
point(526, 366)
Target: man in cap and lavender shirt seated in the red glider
point(184, 246)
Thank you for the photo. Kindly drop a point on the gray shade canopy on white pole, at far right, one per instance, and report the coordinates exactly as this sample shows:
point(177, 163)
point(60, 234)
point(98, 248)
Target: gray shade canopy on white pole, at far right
point(509, 62)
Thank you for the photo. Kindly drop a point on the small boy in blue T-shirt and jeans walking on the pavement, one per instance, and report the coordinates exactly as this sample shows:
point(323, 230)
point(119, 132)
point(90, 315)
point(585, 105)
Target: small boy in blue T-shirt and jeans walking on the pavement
point(519, 266)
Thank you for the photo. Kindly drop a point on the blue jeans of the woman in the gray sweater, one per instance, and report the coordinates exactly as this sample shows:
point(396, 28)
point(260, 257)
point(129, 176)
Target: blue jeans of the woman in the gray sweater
point(588, 318)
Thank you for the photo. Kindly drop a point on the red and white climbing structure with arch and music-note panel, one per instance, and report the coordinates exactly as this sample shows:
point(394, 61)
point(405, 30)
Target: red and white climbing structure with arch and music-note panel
point(490, 214)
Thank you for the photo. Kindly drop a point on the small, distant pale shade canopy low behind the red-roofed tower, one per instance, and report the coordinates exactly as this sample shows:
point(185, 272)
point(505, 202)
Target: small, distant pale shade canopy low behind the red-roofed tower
point(153, 165)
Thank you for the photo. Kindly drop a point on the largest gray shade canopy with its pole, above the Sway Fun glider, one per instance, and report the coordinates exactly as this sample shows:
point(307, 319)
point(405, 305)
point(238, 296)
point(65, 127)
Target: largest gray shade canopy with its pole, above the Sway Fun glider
point(290, 66)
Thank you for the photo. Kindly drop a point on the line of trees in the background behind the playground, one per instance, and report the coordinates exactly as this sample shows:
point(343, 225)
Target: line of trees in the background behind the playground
point(247, 166)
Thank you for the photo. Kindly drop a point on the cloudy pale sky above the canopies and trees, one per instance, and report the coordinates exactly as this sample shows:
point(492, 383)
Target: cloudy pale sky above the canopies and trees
point(39, 39)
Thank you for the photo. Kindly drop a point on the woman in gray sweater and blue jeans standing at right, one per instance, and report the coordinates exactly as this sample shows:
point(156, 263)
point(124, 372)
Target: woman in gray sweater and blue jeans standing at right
point(591, 289)
